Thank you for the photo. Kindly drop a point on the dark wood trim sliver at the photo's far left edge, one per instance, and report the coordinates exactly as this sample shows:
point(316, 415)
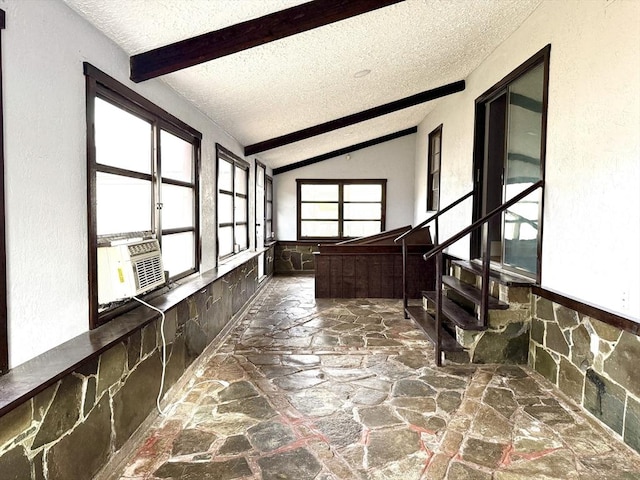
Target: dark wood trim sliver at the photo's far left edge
point(4, 340)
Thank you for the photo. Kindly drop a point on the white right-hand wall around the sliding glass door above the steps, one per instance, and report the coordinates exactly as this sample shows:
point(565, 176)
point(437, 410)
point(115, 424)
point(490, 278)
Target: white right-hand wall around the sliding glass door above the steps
point(591, 243)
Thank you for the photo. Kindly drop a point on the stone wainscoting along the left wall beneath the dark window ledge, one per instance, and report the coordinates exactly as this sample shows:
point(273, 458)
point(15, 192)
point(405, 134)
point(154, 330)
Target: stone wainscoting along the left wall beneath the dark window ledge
point(74, 426)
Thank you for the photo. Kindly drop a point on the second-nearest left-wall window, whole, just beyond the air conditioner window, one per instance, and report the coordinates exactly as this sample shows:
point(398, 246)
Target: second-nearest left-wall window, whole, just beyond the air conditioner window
point(233, 203)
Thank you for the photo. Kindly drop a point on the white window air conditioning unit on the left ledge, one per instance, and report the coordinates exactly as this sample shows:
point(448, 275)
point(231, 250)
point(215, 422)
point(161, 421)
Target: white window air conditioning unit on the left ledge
point(128, 270)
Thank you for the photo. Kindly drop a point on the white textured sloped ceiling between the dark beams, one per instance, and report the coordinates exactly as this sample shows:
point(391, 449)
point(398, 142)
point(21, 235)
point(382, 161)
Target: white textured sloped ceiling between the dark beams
point(308, 79)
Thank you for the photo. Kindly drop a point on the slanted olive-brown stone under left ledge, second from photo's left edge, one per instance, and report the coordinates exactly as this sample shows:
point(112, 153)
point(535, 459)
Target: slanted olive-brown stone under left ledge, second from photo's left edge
point(63, 413)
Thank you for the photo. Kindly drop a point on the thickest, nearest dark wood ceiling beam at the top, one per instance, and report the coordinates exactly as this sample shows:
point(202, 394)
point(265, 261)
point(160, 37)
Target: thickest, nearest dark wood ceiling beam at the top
point(245, 35)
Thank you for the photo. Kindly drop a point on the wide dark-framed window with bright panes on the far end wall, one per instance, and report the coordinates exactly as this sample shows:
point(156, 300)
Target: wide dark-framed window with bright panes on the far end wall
point(338, 209)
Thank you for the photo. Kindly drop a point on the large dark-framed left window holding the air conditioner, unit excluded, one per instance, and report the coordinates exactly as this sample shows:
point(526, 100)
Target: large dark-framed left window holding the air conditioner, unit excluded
point(143, 168)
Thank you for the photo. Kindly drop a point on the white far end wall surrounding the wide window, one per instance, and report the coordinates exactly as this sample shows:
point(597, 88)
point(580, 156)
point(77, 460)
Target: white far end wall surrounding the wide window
point(392, 160)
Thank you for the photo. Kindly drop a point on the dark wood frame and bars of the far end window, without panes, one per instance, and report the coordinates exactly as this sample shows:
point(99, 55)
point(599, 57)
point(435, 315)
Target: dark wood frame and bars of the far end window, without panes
point(341, 183)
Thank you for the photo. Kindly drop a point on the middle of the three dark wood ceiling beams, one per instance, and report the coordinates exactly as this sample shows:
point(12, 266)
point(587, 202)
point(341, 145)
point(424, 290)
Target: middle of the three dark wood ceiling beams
point(355, 118)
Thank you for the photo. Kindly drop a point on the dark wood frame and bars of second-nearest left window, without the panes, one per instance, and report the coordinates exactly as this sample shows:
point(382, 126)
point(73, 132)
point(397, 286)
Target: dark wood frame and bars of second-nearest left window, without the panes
point(222, 154)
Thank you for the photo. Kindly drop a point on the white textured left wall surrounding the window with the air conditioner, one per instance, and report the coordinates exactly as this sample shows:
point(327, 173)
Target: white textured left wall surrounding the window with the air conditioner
point(43, 47)
